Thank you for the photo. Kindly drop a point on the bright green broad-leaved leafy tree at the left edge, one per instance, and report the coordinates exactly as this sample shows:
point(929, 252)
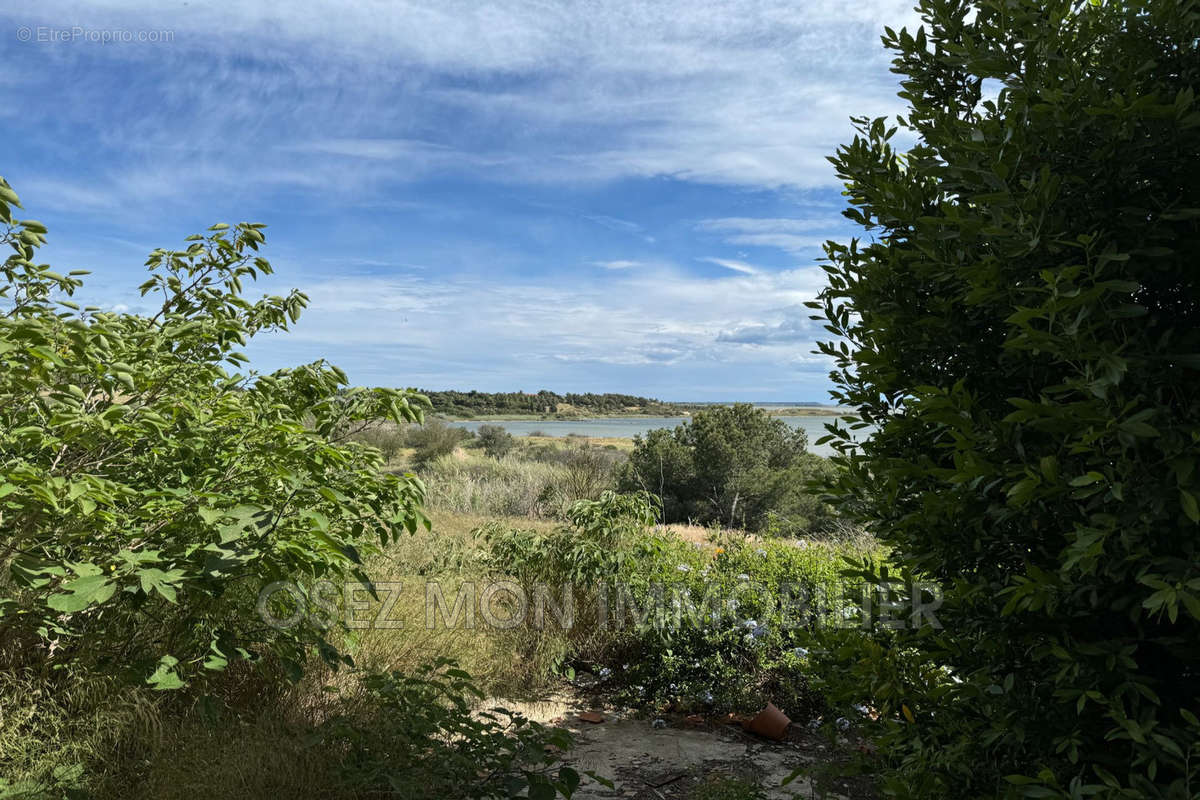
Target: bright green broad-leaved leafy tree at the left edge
point(147, 492)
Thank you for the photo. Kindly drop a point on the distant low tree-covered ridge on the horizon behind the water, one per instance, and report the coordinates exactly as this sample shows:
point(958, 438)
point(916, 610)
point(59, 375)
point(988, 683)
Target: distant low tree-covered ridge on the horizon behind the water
point(455, 404)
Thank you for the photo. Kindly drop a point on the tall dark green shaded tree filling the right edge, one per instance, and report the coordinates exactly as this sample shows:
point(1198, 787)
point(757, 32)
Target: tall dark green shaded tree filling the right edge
point(1024, 328)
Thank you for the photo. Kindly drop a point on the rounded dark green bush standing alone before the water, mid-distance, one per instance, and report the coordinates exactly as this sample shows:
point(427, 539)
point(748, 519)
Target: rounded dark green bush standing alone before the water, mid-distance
point(736, 466)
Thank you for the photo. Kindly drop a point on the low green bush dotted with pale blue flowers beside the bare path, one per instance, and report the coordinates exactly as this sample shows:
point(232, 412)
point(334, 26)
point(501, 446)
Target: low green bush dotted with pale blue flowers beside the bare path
point(769, 607)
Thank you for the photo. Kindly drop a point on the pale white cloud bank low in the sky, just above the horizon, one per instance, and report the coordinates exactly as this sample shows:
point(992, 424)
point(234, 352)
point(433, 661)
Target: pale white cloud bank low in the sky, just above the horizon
point(658, 316)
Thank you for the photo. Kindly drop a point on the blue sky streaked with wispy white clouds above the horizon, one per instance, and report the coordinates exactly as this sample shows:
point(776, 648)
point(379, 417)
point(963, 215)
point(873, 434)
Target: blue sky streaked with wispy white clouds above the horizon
point(623, 196)
